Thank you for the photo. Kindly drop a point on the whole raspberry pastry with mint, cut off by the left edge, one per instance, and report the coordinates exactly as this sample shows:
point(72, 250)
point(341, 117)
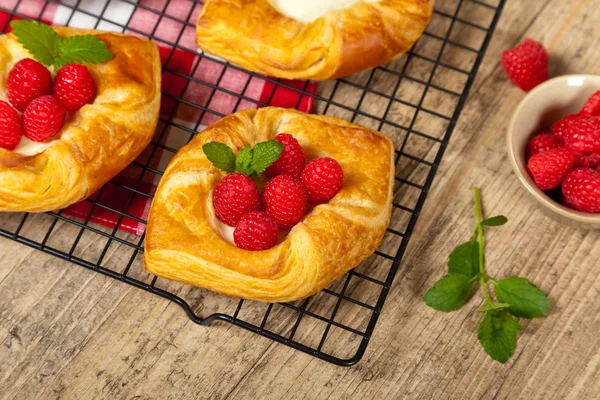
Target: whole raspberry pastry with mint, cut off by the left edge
point(83, 120)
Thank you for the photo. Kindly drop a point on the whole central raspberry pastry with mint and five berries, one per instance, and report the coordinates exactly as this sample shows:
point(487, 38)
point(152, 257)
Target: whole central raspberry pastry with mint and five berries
point(298, 235)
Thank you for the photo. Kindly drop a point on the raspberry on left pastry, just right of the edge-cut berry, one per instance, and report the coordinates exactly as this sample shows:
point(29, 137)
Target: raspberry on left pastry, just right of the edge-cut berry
point(43, 119)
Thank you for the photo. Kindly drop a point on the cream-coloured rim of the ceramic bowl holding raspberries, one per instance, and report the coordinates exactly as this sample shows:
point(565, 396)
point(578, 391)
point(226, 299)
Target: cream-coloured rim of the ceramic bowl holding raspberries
point(536, 192)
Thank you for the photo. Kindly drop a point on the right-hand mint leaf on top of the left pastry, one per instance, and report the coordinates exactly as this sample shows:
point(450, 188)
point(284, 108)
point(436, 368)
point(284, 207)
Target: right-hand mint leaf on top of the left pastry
point(82, 49)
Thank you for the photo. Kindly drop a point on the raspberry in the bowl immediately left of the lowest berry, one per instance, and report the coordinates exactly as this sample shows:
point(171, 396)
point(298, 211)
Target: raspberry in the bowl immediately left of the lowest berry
point(548, 169)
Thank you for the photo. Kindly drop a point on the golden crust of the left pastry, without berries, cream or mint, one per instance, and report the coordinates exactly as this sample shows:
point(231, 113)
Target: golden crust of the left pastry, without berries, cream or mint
point(96, 142)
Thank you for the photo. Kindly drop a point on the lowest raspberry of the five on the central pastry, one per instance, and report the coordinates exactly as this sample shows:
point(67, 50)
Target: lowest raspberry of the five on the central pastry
point(256, 231)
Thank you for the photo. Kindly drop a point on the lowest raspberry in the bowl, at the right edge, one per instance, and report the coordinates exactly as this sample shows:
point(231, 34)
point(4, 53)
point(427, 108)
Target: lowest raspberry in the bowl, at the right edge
point(581, 190)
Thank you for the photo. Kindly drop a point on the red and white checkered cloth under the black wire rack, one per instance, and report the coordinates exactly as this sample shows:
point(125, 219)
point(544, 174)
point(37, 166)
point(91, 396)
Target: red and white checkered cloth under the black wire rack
point(187, 74)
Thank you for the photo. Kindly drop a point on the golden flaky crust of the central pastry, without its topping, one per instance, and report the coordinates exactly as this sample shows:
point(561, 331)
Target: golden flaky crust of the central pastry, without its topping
point(182, 239)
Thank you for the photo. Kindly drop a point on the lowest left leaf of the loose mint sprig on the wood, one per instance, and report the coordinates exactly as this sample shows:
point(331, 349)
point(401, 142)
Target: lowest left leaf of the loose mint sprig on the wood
point(449, 293)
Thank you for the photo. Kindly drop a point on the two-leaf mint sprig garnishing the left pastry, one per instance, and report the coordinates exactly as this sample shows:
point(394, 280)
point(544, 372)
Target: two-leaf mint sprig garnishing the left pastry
point(46, 46)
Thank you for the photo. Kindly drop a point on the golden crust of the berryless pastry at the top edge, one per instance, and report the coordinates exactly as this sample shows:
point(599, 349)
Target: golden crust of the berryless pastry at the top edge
point(253, 35)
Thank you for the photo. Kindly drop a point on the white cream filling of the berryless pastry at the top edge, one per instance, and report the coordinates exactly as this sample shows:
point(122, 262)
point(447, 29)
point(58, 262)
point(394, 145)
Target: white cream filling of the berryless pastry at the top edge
point(310, 10)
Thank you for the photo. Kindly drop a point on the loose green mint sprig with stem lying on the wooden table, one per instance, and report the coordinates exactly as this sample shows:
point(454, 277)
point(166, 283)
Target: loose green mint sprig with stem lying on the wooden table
point(516, 296)
